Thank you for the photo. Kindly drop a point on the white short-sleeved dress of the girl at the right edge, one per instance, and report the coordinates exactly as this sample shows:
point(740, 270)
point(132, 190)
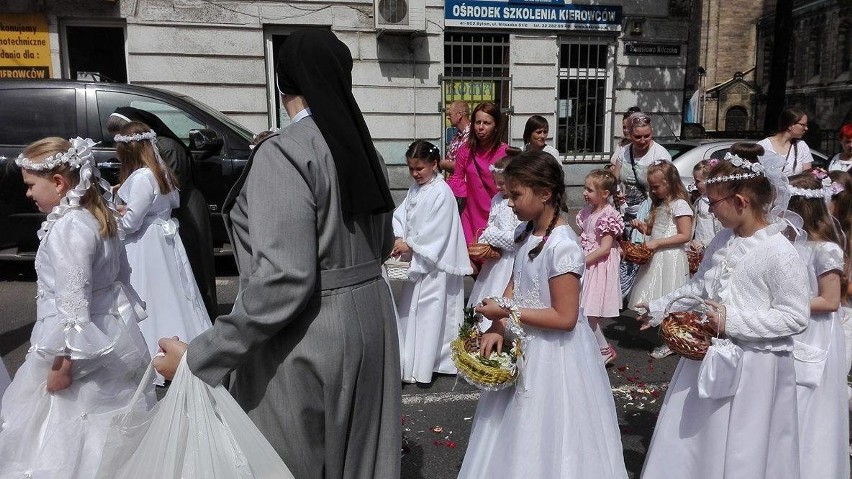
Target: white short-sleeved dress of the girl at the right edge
point(820, 355)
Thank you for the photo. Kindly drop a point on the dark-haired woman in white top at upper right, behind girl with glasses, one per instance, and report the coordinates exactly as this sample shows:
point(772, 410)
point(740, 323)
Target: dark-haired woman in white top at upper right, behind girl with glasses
point(787, 142)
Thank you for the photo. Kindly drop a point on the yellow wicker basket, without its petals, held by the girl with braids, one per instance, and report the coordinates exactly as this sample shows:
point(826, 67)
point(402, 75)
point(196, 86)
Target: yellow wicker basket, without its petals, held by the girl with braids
point(472, 367)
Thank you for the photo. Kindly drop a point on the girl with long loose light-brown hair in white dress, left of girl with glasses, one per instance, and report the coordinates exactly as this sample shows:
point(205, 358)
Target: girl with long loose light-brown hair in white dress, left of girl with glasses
point(670, 228)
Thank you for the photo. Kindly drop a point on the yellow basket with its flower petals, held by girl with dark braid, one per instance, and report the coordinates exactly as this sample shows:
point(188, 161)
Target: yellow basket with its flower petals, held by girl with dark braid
point(498, 371)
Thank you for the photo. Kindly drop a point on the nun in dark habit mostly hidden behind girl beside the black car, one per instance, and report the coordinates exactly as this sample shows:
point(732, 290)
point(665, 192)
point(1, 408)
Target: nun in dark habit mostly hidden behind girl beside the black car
point(192, 214)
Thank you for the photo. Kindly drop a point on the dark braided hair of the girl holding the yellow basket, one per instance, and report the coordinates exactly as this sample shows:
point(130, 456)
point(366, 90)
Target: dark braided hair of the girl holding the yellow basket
point(539, 170)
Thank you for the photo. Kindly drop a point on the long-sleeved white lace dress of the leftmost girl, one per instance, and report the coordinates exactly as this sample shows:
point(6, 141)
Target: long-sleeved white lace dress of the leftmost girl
point(85, 310)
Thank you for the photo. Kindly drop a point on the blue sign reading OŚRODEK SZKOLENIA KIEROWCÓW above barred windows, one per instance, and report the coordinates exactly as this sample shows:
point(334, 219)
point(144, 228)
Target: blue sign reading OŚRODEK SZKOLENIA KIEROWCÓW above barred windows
point(531, 14)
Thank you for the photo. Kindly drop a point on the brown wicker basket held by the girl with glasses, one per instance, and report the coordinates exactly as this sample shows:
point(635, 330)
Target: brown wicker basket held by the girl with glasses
point(687, 333)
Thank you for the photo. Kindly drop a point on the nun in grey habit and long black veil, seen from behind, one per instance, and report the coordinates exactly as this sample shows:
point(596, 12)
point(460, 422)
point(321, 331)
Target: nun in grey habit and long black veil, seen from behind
point(312, 340)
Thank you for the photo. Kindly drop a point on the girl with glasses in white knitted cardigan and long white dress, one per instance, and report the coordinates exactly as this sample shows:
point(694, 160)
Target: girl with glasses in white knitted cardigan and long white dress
point(736, 417)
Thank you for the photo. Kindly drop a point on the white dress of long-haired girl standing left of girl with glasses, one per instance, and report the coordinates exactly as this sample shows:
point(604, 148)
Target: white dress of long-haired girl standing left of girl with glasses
point(668, 268)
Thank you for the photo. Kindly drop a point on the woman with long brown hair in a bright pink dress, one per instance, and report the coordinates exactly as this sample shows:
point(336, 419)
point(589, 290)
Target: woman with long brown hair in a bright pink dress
point(471, 180)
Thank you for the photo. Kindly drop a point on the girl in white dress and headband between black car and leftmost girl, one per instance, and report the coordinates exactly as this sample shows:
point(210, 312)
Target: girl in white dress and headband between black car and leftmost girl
point(159, 268)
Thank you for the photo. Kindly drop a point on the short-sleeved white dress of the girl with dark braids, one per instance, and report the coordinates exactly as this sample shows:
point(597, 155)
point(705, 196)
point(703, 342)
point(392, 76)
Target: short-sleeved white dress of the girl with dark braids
point(559, 420)
